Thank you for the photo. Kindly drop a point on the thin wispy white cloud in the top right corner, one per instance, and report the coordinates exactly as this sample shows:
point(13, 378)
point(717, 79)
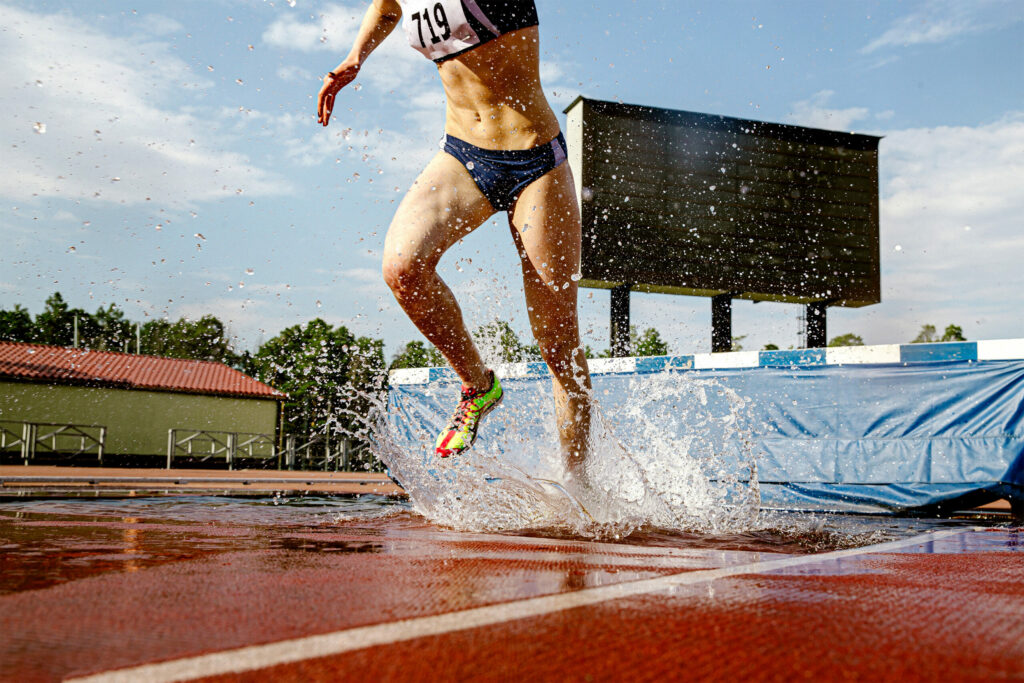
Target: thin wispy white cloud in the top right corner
point(940, 21)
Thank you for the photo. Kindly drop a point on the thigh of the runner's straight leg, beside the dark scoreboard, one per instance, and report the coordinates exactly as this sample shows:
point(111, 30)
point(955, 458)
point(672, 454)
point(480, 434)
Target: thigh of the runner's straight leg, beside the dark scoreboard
point(546, 227)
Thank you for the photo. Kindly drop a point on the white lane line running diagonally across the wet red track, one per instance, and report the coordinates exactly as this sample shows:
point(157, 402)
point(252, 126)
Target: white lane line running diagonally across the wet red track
point(300, 650)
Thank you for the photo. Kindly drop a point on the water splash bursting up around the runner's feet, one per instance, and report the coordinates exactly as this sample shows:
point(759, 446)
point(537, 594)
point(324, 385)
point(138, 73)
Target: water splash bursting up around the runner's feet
point(669, 452)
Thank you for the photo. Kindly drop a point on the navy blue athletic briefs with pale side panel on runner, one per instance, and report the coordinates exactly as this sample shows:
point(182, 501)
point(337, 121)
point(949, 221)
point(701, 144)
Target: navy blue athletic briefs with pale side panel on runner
point(502, 175)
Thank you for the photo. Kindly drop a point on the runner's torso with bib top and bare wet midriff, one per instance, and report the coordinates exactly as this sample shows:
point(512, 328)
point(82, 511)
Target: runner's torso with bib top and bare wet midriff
point(492, 80)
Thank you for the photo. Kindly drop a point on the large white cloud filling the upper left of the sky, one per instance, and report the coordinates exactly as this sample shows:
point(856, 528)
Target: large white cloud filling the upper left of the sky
point(115, 131)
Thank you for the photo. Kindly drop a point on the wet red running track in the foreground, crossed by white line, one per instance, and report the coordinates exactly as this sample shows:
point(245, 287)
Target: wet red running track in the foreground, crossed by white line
point(398, 600)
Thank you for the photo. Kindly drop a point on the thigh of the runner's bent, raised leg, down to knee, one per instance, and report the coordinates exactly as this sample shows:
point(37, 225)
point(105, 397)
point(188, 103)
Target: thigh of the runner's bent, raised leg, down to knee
point(443, 206)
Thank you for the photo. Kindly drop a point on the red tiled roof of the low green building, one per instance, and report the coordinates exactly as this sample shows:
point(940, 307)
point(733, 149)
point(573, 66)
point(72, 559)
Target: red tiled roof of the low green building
point(58, 365)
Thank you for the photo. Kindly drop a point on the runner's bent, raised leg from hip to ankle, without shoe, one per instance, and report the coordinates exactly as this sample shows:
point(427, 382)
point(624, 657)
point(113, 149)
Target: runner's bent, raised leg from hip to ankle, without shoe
point(443, 206)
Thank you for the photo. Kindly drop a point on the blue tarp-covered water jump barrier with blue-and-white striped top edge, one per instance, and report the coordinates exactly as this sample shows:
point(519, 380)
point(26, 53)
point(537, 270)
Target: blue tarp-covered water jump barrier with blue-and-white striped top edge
point(912, 428)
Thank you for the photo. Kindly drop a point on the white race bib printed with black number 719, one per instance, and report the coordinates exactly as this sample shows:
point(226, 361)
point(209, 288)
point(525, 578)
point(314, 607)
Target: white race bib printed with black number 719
point(438, 28)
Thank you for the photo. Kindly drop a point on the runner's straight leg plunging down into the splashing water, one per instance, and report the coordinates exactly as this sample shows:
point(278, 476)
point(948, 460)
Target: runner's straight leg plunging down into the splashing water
point(546, 228)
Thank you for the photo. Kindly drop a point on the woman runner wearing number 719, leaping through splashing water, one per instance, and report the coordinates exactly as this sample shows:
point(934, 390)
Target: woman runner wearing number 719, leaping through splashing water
point(502, 152)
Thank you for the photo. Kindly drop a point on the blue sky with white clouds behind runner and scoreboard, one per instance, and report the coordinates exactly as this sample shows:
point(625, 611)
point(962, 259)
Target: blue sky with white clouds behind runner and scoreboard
point(166, 157)
